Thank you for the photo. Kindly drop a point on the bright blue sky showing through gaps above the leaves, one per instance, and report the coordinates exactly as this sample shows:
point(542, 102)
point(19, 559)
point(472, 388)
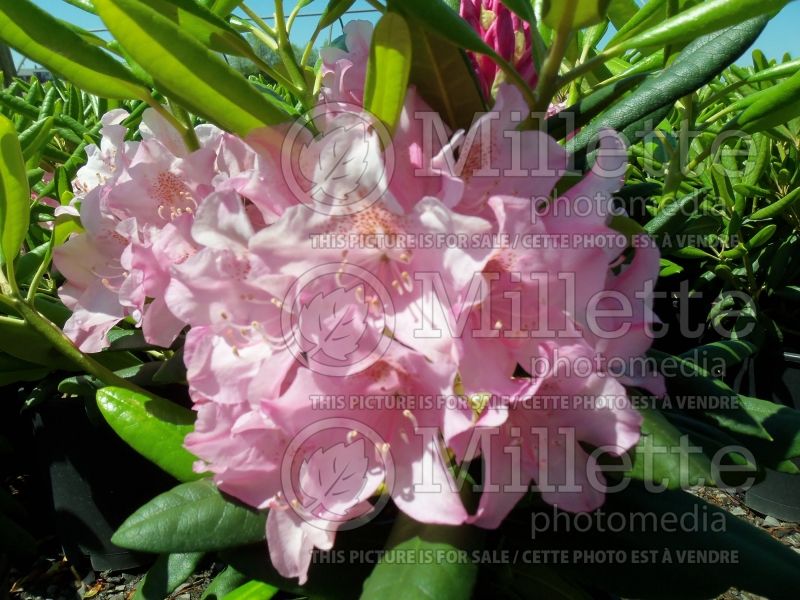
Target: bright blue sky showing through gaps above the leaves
point(780, 36)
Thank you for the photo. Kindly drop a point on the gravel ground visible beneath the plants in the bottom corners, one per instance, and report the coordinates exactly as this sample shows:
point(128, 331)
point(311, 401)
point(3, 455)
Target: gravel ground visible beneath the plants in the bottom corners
point(56, 580)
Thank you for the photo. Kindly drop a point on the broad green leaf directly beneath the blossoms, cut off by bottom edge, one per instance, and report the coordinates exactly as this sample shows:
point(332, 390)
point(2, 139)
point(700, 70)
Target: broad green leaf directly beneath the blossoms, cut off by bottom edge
point(420, 579)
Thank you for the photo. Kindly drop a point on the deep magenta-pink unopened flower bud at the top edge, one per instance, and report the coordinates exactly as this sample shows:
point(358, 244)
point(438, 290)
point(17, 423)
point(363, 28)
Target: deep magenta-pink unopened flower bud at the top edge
point(506, 34)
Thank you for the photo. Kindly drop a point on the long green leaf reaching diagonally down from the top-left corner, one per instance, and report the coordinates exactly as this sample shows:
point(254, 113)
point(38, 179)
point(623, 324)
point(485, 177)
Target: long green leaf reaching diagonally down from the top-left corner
point(44, 39)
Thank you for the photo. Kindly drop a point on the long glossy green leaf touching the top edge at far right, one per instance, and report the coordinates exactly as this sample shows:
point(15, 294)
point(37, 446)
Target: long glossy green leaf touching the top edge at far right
point(706, 17)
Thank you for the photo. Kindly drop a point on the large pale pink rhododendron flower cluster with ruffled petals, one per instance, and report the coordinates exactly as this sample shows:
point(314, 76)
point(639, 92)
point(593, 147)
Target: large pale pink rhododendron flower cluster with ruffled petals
point(326, 269)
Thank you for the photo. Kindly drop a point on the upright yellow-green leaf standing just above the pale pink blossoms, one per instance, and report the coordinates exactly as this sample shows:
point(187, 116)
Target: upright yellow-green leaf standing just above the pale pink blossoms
point(388, 69)
